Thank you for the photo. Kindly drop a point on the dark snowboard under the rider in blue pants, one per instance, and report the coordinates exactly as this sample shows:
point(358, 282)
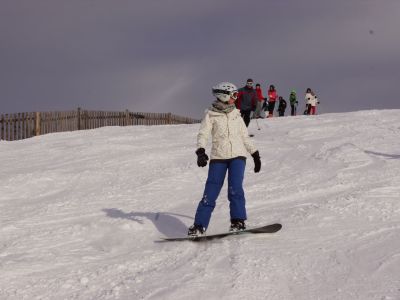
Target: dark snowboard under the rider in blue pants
point(272, 228)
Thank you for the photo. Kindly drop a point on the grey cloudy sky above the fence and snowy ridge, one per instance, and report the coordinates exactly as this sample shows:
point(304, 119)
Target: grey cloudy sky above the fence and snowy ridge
point(165, 55)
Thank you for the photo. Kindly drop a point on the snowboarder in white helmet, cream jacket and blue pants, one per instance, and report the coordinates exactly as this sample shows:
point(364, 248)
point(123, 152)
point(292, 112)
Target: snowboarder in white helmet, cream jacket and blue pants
point(230, 146)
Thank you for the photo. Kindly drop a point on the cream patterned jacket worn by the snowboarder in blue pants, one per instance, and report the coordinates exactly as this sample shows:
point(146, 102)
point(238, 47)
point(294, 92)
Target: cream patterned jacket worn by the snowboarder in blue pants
point(230, 137)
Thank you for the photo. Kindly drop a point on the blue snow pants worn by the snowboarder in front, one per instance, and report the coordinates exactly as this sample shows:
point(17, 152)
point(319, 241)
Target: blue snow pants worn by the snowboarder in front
point(216, 176)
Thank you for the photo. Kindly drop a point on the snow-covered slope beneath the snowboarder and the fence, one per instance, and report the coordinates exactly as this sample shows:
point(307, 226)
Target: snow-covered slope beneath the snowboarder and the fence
point(80, 213)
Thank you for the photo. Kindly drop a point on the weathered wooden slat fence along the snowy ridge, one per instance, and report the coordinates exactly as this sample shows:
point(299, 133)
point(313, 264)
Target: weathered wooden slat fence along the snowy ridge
point(20, 126)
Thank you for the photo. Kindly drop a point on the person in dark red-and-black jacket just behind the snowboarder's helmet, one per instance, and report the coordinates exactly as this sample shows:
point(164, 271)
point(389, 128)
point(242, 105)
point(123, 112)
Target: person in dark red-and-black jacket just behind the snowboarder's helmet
point(247, 101)
